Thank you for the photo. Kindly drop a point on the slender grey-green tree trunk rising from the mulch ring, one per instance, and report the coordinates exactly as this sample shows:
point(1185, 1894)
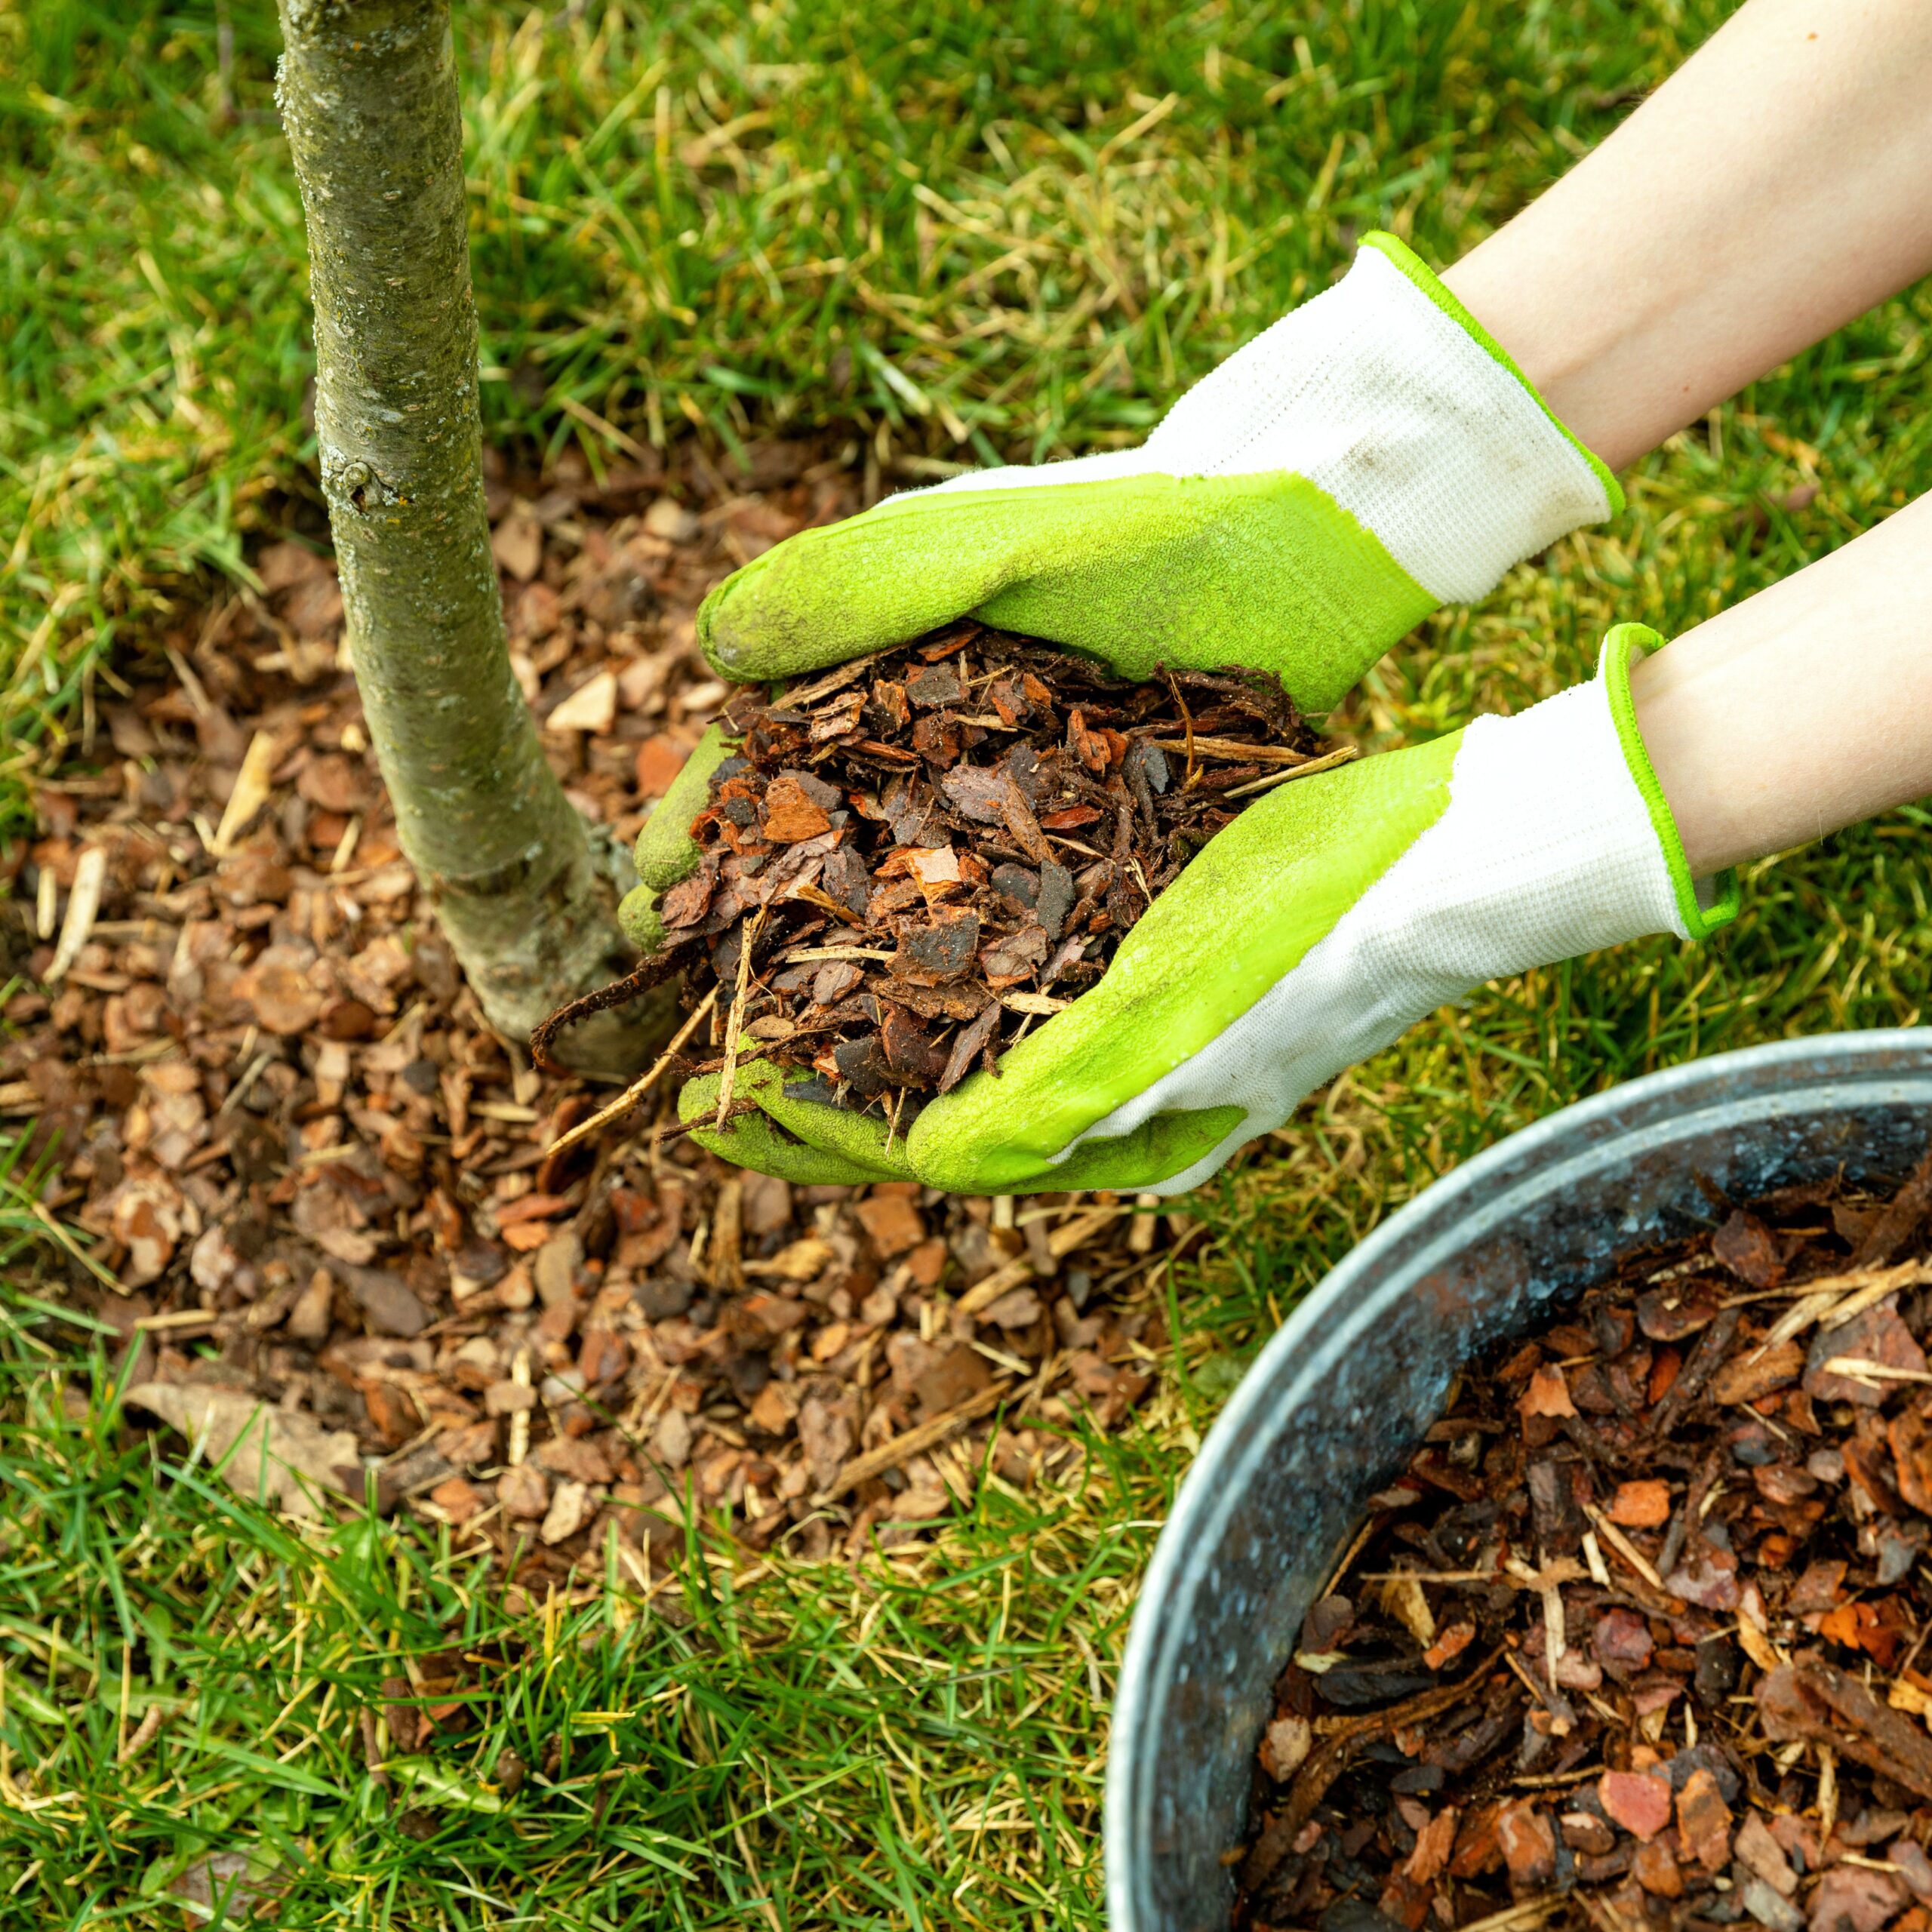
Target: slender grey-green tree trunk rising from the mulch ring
point(368, 96)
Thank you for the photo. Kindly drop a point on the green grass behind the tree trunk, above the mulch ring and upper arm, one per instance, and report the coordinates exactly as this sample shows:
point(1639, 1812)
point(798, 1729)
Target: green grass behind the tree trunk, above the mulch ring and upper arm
point(955, 229)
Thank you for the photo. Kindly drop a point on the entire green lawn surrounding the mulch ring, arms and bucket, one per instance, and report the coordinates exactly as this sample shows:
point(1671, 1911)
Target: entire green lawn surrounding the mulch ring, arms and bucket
point(936, 235)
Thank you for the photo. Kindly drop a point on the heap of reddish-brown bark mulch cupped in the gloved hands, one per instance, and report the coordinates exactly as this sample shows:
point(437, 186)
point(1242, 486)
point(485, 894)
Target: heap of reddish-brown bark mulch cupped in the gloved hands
point(921, 855)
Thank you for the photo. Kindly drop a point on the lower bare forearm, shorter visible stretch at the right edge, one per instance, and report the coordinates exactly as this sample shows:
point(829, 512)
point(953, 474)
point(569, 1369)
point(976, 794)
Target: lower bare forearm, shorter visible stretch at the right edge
point(1804, 710)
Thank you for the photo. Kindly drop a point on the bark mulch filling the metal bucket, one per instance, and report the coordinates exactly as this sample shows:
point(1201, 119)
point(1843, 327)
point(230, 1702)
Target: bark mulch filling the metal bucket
point(1639, 1639)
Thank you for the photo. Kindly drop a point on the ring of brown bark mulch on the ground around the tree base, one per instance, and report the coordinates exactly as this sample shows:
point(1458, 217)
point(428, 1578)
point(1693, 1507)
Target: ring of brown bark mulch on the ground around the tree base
point(304, 1174)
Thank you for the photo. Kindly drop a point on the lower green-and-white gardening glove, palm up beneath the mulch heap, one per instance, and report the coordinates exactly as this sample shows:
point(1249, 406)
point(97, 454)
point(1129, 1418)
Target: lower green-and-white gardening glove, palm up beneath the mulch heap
point(1309, 934)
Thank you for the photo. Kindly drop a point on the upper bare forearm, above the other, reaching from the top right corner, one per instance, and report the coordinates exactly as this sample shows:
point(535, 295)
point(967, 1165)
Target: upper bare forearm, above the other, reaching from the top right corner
point(1775, 188)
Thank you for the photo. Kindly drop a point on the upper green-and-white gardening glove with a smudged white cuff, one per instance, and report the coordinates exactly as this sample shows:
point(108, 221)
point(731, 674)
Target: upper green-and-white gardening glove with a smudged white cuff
point(1369, 457)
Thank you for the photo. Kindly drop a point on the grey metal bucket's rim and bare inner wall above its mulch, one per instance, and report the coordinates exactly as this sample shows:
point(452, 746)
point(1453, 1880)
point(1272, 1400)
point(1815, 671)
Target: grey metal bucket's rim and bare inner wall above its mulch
point(1344, 1392)
